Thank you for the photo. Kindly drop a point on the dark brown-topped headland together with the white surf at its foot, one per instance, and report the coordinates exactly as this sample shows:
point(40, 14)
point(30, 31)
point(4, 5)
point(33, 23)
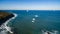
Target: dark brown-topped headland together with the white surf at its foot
point(6, 17)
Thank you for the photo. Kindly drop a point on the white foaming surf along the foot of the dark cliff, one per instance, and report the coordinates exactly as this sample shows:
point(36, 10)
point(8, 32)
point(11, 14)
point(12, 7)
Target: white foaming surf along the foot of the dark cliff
point(6, 28)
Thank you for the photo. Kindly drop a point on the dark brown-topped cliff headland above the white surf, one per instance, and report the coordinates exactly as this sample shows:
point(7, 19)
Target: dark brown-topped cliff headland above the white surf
point(4, 16)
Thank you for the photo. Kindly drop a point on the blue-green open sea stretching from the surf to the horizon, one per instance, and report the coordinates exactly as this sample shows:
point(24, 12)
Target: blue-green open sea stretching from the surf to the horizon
point(34, 21)
